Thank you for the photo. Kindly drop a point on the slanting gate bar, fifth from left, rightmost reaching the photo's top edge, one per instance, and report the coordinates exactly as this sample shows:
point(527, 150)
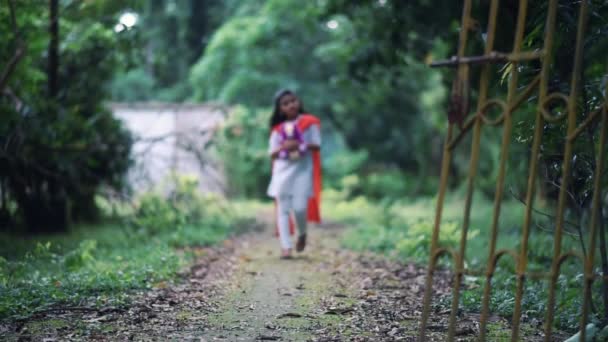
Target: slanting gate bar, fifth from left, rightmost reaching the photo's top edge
point(567, 163)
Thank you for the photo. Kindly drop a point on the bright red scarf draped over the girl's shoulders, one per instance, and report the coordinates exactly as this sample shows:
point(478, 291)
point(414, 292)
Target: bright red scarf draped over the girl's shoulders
point(304, 122)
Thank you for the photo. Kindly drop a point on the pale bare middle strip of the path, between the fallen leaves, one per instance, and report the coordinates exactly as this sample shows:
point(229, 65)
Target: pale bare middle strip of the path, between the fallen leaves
point(273, 299)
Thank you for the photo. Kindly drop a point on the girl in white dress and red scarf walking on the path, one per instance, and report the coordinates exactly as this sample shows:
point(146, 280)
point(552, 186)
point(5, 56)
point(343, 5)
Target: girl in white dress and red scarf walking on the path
point(295, 143)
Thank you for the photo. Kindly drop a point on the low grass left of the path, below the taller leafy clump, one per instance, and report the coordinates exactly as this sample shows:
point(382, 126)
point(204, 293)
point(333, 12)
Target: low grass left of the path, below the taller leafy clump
point(93, 266)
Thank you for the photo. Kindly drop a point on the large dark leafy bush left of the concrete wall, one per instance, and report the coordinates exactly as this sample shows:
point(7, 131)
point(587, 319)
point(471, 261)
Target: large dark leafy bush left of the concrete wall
point(58, 152)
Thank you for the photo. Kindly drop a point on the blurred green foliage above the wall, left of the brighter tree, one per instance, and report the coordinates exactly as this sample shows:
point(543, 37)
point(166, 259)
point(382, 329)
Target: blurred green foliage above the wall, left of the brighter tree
point(166, 41)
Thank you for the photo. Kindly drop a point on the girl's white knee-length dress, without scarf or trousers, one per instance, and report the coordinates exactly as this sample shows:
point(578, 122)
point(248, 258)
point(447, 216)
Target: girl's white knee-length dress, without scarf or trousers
point(293, 177)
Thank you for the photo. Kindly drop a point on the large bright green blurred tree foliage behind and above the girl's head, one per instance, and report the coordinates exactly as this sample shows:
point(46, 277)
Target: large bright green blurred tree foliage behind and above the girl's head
point(253, 54)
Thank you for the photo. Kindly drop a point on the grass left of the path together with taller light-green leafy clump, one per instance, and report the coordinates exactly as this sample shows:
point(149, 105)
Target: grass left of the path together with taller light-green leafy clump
point(103, 265)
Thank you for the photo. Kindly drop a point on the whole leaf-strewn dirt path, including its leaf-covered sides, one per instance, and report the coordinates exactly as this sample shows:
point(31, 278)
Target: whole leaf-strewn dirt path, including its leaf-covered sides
point(242, 291)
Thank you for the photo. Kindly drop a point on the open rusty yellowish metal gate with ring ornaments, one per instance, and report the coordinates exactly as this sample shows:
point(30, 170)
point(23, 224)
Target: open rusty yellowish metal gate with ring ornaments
point(473, 125)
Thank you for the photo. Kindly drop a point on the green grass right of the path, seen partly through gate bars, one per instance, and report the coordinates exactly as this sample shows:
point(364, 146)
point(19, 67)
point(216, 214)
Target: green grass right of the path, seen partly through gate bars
point(403, 230)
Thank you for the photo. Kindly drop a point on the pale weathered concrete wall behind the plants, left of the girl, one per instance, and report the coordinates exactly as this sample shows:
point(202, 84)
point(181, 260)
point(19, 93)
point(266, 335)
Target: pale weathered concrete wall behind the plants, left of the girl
point(172, 138)
